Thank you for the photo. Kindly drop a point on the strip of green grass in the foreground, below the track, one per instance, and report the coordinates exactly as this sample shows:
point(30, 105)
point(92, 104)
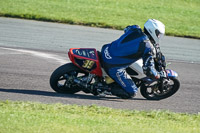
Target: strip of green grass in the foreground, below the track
point(27, 117)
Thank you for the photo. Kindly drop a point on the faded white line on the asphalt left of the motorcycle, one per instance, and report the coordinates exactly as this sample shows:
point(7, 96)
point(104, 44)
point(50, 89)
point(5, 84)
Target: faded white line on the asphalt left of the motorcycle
point(39, 54)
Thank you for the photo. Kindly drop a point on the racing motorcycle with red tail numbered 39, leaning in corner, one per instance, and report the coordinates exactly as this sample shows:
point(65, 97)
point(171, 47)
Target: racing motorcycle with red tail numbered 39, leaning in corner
point(85, 73)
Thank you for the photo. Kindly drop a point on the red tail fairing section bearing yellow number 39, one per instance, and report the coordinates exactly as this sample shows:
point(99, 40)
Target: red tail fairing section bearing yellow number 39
point(87, 59)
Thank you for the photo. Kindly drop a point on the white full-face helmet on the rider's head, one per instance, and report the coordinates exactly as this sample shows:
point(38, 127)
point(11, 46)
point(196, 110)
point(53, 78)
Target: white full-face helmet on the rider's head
point(155, 29)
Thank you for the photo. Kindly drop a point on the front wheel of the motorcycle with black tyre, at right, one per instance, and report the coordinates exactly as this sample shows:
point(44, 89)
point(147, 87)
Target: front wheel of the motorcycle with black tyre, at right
point(153, 92)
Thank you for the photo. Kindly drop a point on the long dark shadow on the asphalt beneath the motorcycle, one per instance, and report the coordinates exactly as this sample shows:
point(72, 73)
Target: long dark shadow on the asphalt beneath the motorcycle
point(54, 94)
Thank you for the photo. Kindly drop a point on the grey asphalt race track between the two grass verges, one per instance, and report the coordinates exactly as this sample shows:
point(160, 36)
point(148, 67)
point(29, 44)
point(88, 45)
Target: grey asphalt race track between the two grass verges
point(30, 51)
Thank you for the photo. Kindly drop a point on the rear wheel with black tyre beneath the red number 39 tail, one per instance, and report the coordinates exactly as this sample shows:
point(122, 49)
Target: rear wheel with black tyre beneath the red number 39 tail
point(60, 80)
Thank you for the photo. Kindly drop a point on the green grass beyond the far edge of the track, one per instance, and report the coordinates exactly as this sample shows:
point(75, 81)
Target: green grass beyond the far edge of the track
point(181, 17)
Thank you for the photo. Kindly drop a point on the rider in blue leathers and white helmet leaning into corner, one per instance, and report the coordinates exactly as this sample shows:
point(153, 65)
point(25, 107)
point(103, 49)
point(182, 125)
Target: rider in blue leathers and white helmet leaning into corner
point(131, 46)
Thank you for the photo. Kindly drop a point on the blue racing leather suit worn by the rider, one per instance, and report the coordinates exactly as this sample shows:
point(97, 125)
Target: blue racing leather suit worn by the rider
point(121, 53)
